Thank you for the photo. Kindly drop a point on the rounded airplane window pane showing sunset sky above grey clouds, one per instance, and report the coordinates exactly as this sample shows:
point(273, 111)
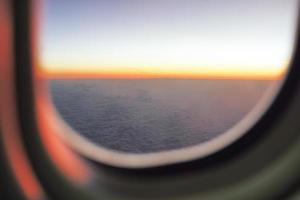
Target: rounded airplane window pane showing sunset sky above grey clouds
point(163, 76)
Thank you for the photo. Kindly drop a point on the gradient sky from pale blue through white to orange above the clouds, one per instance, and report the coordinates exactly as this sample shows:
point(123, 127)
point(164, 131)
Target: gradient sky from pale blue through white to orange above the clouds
point(167, 38)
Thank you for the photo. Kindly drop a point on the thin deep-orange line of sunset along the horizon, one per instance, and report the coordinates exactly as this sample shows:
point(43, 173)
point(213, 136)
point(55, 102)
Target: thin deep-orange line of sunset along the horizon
point(233, 75)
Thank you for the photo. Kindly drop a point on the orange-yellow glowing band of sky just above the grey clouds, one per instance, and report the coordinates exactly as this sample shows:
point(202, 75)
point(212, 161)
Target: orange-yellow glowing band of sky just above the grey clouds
point(266, 73)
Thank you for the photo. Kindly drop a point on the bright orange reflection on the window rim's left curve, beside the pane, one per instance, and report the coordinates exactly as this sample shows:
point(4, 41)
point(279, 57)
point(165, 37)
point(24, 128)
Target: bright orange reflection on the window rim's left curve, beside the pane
point(48, 124)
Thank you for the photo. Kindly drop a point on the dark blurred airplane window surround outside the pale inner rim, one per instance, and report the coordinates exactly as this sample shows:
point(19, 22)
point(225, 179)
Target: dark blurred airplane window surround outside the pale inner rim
point(262, 165)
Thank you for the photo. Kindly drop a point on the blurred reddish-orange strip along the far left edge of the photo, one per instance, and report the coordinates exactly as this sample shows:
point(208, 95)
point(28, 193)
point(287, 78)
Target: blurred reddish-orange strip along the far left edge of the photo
point(10, 133)
